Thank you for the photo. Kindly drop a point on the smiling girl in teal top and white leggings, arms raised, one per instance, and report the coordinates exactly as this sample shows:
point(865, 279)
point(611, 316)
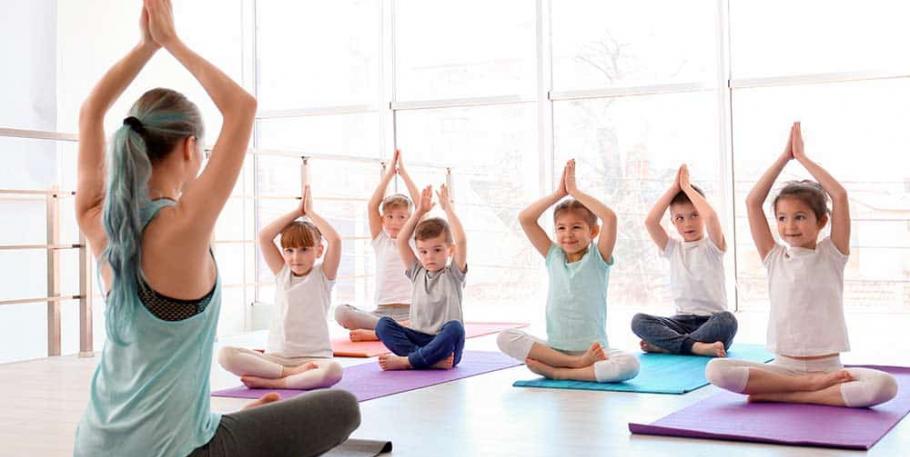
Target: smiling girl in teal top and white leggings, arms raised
point(579, 259)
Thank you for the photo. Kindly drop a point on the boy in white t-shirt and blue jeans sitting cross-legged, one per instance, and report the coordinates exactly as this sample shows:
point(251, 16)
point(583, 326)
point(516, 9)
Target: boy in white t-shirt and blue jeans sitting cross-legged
point(702, 325)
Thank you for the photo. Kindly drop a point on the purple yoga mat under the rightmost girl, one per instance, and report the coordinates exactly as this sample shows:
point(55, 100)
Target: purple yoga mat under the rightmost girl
point(728, 416)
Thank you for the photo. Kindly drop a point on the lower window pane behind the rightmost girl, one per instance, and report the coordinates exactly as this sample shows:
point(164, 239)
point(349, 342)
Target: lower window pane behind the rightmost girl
point(856, 131)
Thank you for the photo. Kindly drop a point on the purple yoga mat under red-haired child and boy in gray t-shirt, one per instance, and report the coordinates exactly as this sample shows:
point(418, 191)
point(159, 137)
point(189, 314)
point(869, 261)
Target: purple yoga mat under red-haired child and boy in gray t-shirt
point(367, 381)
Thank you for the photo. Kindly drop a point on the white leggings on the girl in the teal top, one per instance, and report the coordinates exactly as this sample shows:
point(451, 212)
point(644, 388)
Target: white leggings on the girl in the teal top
point(619, 366)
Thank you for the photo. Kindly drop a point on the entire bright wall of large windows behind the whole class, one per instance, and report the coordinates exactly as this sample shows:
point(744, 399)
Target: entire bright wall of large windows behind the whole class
point(492, 97)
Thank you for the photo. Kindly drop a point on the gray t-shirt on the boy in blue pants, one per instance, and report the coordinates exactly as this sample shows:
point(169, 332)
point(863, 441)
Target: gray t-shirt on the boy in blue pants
point(436, 298)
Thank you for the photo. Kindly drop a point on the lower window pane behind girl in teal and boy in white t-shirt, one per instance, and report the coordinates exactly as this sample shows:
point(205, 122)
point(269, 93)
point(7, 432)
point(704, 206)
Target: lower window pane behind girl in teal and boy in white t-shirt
point(627, 152)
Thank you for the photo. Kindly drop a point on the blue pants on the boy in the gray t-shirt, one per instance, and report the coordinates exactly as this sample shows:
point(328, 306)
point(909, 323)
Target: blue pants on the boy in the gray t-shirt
point(423, 350)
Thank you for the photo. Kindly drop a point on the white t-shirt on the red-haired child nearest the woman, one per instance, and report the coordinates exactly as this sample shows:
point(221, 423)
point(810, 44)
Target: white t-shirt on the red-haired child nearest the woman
point(299, 326)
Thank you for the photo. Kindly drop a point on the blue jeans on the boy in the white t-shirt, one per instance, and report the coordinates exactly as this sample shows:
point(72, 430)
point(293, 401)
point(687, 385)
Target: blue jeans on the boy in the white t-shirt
point(677, 334)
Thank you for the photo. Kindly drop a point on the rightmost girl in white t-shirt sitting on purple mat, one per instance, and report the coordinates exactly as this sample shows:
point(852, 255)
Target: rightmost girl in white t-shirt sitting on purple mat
point(806, 328)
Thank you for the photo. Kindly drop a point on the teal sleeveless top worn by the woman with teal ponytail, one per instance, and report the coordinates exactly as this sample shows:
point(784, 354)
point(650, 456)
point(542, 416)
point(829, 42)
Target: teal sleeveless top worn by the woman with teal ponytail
point(150, 396)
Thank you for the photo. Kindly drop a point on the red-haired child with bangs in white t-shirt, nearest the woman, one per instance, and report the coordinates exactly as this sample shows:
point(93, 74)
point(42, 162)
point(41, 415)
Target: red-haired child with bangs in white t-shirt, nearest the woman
point(299, 353)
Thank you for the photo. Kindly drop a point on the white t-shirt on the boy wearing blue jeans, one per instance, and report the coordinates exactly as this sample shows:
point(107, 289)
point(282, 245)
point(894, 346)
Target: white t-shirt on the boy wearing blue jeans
point(696, 276)
